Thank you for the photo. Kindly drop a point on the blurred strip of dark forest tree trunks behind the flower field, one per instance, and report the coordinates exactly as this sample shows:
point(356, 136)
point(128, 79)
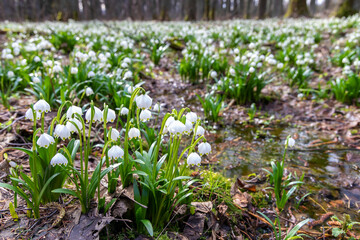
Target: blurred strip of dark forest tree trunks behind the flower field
point(169, 10)
